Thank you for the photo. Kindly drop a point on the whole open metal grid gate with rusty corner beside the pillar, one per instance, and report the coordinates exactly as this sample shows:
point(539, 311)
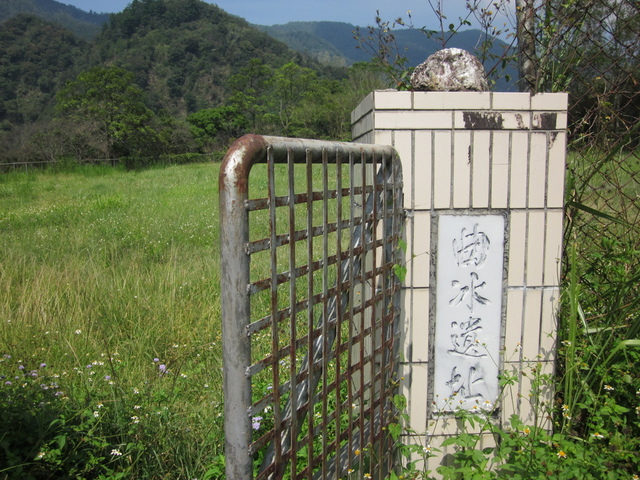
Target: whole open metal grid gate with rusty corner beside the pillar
point(310, 307)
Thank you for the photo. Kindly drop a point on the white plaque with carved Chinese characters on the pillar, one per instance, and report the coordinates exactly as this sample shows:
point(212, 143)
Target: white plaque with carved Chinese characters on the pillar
point(468, 310)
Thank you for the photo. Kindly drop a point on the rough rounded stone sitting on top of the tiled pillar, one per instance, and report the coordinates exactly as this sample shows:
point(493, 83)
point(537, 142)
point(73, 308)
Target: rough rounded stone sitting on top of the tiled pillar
point(450, 70)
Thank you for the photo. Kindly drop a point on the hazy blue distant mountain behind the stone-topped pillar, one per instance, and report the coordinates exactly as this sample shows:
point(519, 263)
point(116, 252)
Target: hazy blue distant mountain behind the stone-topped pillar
point(333, 43)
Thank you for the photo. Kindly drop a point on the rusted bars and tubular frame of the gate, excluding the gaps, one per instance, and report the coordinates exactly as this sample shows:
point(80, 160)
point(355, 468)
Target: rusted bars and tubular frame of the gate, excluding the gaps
point(383, 200)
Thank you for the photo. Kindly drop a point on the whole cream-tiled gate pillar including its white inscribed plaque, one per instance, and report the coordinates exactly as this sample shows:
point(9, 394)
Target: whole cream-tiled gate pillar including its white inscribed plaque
point(484, 171)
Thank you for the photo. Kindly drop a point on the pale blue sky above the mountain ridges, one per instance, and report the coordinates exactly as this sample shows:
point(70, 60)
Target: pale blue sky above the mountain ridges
point(357, 12)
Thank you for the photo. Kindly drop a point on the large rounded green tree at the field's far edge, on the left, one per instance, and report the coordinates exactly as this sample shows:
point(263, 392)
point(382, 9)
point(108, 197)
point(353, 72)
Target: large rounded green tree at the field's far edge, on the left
point(108, 98)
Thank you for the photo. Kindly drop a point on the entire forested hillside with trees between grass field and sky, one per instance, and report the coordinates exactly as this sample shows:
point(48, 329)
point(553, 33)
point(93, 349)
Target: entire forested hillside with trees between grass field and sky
point(162, 77)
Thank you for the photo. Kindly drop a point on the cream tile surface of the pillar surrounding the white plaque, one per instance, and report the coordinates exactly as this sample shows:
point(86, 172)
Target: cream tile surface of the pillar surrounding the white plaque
point(518, 169)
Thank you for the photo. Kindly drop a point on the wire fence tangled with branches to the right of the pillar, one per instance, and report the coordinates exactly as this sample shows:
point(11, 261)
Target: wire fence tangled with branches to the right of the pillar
point(591, 49)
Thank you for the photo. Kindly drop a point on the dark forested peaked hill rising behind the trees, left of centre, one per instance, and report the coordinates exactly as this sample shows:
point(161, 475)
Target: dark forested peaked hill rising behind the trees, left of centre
point(183, 52)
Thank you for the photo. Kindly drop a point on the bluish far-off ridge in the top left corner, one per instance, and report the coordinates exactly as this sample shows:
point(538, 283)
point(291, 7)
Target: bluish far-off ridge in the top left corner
point(84, 24)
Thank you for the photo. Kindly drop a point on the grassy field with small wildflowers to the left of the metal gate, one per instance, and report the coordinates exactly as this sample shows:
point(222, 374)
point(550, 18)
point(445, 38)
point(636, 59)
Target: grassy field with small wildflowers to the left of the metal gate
point(110, 278)
